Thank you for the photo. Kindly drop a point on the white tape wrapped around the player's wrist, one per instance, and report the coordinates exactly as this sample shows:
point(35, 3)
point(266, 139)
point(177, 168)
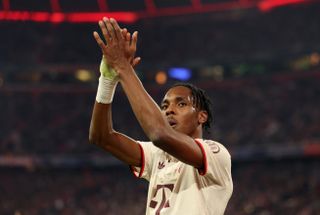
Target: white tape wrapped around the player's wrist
point(106, 89)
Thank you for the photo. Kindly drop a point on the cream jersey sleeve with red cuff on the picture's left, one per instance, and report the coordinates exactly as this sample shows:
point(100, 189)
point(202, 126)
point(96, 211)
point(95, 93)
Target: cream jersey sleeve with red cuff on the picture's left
point(147, 150)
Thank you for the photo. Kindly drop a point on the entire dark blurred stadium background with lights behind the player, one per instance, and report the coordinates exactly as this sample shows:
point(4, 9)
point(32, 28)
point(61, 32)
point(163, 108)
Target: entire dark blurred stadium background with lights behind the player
point(259, 60)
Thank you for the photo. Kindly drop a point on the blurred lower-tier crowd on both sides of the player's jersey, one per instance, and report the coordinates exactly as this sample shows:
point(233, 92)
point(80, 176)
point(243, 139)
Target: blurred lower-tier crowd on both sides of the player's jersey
point(260, 188)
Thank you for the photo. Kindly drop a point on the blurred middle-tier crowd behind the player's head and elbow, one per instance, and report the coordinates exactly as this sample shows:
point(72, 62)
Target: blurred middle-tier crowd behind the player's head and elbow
point(273, 111)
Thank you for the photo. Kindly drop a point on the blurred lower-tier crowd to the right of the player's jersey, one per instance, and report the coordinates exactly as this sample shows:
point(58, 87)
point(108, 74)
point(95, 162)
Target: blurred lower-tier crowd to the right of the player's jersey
point(276, 187)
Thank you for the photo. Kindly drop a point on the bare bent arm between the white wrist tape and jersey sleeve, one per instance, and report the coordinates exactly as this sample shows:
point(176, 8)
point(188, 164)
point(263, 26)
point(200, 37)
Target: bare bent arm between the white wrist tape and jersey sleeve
point(102, 134)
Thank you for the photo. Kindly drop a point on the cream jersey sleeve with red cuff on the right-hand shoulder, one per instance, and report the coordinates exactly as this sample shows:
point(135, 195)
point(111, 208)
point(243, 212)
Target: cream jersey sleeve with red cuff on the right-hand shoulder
point(217, 162)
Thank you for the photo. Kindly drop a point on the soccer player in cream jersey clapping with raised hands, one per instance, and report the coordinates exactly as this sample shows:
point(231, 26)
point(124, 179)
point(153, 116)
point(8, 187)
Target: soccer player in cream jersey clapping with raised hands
point(187, 174)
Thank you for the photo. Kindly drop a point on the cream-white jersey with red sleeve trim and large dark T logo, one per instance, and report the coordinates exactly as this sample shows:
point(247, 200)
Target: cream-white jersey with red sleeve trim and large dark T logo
point(176, 188)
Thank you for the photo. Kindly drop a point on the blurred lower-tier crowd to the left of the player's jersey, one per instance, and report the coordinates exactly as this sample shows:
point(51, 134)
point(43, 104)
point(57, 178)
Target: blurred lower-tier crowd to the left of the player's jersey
point(71, 192)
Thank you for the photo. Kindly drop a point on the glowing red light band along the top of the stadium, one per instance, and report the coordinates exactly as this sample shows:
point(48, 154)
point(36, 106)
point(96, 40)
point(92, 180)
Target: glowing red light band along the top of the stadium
point(57, 15)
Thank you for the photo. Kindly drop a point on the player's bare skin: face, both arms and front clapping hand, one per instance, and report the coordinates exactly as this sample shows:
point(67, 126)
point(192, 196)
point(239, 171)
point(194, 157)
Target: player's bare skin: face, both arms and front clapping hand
point(171, 128)
